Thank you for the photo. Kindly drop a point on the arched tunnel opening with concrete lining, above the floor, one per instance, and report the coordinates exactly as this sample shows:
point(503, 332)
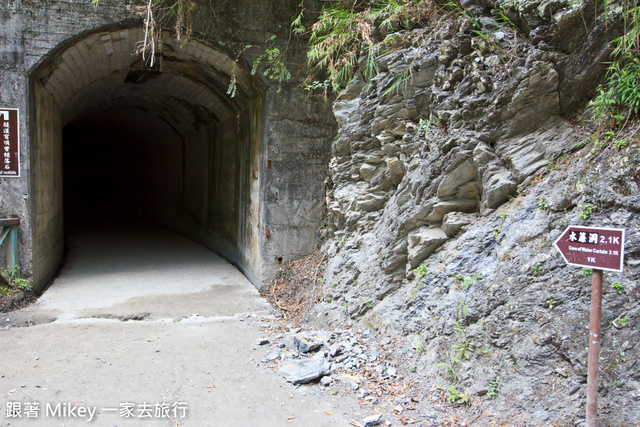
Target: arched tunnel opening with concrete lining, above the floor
point(117, 143)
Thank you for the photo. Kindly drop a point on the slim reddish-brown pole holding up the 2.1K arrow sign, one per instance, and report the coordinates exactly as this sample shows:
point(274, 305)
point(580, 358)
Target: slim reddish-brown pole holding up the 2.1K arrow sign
point(594, 348)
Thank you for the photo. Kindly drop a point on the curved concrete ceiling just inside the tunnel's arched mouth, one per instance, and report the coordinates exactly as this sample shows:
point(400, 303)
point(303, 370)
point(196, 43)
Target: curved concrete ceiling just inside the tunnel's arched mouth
point(101, 72)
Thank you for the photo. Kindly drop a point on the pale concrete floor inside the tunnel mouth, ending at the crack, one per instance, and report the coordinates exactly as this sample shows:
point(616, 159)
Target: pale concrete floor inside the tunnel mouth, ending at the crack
point(141, 272)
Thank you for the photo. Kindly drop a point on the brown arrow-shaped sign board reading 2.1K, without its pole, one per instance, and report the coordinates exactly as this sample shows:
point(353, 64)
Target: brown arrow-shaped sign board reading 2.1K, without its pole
point(599, 248)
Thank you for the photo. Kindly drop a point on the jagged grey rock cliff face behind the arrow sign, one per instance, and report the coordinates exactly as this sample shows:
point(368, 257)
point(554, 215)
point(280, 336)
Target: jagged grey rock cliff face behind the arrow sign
point(446, 194)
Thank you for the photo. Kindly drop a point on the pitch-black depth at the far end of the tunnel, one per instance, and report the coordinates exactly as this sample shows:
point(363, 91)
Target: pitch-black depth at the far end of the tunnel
point(120, 167)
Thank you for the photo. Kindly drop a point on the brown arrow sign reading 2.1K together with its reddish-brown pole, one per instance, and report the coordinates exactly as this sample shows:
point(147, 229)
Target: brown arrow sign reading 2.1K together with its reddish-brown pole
point(599, 249)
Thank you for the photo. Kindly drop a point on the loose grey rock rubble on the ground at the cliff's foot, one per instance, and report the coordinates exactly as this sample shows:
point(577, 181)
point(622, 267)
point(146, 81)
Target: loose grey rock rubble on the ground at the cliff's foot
point(356, 362)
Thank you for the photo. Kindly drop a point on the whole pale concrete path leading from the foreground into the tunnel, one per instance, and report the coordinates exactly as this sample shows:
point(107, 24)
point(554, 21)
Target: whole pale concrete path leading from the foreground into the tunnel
point(148, 328)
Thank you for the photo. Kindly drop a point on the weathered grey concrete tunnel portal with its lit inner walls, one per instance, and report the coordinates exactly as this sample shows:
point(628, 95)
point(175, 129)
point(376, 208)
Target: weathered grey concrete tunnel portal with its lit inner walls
point(268, 147)
